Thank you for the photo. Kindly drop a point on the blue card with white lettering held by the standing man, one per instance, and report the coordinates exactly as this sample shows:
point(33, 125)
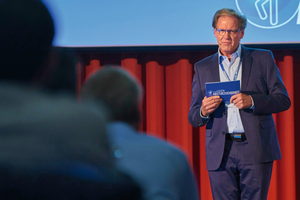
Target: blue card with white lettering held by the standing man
point(223, 89)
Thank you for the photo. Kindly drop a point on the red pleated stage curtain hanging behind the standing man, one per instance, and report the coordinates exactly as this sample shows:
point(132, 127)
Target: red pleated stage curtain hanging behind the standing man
point(166, 78)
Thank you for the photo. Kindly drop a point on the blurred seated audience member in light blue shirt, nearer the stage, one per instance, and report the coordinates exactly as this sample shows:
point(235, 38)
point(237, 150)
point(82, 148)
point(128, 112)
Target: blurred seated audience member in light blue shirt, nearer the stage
point(161, 169)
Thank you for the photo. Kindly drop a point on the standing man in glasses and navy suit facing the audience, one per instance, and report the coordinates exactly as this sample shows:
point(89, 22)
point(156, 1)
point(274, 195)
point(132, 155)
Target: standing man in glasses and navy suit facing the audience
point(241, 139)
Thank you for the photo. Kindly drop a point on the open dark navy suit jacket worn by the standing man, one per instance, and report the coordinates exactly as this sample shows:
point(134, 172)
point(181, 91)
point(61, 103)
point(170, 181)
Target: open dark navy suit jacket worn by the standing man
point(261, 79)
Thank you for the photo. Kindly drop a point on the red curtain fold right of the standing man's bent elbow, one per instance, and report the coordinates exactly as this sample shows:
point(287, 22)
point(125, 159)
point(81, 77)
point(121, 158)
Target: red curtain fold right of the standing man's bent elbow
point(286, 135)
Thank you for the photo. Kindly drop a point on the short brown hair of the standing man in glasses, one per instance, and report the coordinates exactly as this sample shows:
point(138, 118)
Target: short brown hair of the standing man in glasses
point(230, 12)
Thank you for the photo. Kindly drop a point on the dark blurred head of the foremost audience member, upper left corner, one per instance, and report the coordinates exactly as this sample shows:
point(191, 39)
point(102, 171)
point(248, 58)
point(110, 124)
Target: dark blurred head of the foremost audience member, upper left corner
point(26, 35)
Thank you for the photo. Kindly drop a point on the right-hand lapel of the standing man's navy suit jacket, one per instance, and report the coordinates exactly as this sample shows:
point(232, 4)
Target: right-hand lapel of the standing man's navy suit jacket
point(246, 67)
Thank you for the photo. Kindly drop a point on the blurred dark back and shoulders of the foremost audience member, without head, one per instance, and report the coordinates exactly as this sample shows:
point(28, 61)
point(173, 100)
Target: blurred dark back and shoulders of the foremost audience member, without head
point(52, 148)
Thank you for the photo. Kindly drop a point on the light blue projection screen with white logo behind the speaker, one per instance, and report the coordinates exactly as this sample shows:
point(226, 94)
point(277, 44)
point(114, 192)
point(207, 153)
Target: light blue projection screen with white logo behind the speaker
point(101, 23)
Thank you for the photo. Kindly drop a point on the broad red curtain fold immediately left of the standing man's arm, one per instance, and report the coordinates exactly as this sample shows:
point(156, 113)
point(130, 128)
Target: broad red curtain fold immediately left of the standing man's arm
point(178, 92)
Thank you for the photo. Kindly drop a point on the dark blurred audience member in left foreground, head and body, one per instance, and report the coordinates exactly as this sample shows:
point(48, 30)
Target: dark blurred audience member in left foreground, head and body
point(51, 147)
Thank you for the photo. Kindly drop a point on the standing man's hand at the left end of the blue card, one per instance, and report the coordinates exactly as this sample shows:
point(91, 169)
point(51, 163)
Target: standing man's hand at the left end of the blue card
point(210, 104)
